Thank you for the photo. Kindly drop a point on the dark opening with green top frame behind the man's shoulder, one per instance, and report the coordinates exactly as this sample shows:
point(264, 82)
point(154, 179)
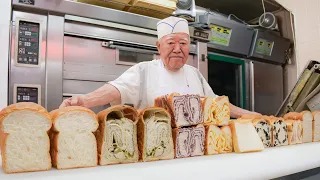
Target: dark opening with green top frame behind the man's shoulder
point(224, 77)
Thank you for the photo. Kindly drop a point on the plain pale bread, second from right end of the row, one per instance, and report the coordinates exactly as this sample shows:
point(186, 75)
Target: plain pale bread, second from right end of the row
point(307, 119)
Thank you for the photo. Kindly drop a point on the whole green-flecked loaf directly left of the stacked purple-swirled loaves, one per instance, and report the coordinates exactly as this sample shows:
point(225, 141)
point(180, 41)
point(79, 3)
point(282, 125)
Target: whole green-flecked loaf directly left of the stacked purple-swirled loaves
point(155, 135)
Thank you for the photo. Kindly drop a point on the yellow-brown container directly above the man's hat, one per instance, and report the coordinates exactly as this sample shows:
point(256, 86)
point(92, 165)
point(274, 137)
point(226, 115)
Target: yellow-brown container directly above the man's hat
point(153, 8)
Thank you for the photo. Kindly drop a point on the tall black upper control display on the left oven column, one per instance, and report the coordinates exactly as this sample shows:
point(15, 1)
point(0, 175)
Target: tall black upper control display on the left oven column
point(28, 43)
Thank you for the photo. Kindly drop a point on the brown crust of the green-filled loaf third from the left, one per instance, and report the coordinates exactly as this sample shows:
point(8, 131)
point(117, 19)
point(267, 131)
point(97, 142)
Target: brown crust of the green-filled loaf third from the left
point(102, 120)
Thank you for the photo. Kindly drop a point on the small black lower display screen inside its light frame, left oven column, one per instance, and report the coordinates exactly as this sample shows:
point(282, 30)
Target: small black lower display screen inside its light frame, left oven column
point(27, 94)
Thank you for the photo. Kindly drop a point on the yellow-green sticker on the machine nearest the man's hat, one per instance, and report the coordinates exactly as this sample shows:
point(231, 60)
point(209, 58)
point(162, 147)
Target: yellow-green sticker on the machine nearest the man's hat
point(220, 35)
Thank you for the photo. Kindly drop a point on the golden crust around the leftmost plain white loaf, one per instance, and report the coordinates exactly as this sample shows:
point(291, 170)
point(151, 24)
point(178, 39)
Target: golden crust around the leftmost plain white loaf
point(3, 136)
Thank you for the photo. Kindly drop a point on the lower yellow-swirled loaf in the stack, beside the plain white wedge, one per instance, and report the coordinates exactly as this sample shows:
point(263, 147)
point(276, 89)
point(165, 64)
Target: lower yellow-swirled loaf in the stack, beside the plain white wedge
point(218, 140)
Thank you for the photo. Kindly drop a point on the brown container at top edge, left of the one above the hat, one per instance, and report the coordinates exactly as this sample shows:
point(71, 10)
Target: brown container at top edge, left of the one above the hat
point(113, 4)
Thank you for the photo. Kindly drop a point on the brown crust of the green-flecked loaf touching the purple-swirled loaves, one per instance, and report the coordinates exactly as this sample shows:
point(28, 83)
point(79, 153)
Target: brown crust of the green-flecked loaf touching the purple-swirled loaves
point(141, 130)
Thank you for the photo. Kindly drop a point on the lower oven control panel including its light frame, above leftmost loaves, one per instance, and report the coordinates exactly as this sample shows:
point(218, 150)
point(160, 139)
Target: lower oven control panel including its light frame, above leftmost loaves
point(27, 93)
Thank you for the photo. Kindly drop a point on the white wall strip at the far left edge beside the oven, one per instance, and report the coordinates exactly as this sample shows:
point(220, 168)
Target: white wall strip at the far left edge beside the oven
point(5, 7)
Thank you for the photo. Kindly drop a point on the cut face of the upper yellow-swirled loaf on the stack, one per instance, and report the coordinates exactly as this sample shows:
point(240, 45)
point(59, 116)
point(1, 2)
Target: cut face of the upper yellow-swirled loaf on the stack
point(221, 111)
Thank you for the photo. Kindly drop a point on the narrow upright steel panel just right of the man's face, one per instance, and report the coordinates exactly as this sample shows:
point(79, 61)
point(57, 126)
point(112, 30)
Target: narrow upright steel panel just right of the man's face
point(202, 59)
